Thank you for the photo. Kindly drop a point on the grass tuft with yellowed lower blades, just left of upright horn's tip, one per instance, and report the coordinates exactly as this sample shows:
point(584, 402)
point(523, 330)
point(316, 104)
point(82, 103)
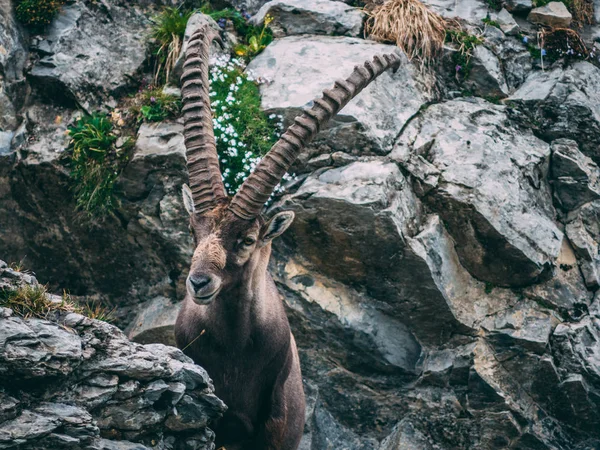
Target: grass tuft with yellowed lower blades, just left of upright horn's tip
point(168, 31)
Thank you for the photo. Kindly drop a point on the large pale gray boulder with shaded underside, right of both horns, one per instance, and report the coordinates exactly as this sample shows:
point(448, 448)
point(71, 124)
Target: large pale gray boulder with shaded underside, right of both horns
point(490, 224)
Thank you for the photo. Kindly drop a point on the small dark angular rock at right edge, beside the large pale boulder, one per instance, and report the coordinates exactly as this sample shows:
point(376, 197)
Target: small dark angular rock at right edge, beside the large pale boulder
point(576, 177)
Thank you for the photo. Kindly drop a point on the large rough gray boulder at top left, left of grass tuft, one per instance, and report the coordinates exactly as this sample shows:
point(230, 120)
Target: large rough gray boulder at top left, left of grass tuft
point(85, 62)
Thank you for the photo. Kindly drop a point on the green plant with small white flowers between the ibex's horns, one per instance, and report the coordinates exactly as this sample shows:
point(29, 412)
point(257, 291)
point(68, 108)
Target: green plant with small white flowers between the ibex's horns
point(242, 131)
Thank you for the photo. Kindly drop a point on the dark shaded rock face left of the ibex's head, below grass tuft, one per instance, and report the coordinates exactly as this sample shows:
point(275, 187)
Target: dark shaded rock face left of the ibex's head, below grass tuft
point(148, 245)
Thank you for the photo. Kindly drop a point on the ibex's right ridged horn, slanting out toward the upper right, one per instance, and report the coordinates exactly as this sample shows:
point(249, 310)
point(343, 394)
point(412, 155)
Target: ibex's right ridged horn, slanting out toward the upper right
point(256, 190)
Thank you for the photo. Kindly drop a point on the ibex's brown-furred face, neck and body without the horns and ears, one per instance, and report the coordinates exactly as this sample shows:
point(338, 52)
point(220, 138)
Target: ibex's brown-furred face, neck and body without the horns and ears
point(242, 336)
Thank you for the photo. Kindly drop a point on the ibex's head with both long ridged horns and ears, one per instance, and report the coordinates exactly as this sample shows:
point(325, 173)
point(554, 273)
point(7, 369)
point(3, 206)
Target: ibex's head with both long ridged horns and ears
point(232, 238)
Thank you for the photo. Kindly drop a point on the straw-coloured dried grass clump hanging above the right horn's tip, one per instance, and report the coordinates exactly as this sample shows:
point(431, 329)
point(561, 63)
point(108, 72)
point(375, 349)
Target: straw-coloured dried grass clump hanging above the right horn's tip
point(417, 30)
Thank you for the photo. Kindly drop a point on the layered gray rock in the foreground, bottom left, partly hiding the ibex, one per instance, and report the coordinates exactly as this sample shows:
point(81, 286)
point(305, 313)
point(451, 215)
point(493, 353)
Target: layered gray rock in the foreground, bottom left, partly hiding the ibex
point(79, 383)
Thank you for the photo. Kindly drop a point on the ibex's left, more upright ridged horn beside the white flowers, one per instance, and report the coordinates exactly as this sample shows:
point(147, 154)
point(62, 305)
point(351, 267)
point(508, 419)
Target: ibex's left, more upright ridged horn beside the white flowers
point(206, 182)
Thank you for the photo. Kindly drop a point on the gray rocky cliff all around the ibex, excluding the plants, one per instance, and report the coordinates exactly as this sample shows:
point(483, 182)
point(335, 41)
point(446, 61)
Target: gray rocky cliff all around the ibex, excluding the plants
point(440, 277)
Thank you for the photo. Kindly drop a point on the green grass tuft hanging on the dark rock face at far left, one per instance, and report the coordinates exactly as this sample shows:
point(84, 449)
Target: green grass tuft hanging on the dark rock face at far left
point(95, 163)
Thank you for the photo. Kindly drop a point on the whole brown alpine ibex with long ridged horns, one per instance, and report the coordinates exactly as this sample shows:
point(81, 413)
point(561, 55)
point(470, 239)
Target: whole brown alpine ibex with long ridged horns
point(233, 322)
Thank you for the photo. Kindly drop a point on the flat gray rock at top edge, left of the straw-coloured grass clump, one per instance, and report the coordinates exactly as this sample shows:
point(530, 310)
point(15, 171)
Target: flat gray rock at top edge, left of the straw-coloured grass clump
point(327, 17)
